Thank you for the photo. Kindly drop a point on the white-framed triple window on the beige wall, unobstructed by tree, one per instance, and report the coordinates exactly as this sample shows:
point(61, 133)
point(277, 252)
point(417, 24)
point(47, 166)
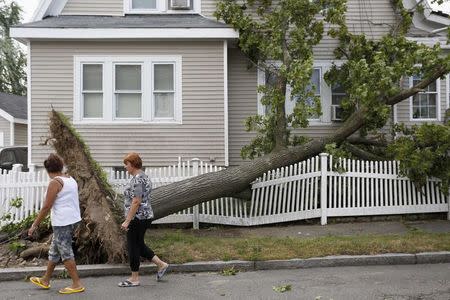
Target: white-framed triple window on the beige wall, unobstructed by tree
point(128, 89)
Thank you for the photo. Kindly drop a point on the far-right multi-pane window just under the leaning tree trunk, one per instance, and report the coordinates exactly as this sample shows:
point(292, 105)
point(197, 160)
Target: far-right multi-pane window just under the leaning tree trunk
point(425, 105)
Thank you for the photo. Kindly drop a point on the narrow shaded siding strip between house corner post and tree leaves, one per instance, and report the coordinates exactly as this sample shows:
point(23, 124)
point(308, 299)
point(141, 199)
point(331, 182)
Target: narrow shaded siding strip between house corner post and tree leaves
point(242, 102)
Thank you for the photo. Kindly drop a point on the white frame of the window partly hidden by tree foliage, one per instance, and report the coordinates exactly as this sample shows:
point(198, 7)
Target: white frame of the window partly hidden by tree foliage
point(325, 94)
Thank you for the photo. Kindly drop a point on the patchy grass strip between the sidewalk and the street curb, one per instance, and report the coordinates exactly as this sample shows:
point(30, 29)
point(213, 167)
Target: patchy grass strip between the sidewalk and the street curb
point(178, 247)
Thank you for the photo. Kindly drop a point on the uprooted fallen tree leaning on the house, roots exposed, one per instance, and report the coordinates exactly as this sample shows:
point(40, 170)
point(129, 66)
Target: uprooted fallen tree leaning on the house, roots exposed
point(370, 77)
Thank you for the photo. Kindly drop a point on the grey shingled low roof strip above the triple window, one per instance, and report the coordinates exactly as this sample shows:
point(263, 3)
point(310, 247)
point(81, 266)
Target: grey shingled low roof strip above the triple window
point(128, 21)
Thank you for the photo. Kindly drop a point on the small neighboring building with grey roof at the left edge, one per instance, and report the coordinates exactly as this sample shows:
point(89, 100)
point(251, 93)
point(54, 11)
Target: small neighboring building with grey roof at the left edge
point(13, 120)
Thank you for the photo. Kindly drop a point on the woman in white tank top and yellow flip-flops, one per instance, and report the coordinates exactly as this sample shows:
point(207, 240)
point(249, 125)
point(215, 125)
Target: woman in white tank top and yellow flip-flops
point(63, 204)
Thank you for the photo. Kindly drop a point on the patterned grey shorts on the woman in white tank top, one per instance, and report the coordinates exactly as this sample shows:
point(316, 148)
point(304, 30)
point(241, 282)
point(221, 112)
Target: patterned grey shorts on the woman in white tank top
point(61, 247)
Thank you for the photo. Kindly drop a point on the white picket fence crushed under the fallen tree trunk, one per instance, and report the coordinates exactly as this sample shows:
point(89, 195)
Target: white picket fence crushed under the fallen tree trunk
point(309, 189)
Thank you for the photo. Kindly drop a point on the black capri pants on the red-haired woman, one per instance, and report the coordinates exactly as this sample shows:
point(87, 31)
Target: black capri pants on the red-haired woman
point(135, 242)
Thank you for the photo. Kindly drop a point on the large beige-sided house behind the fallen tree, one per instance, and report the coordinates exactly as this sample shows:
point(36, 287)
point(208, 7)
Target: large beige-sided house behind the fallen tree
point(165, 79)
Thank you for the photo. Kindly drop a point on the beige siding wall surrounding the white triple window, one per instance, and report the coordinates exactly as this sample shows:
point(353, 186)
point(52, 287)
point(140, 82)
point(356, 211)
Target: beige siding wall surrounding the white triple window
point(200, 135)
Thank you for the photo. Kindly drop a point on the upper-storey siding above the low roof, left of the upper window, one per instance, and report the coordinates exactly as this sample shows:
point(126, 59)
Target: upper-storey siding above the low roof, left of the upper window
point(94, 7)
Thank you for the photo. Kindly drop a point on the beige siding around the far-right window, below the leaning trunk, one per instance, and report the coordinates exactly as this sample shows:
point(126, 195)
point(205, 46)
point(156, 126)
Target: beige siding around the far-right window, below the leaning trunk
point(404, 107)
